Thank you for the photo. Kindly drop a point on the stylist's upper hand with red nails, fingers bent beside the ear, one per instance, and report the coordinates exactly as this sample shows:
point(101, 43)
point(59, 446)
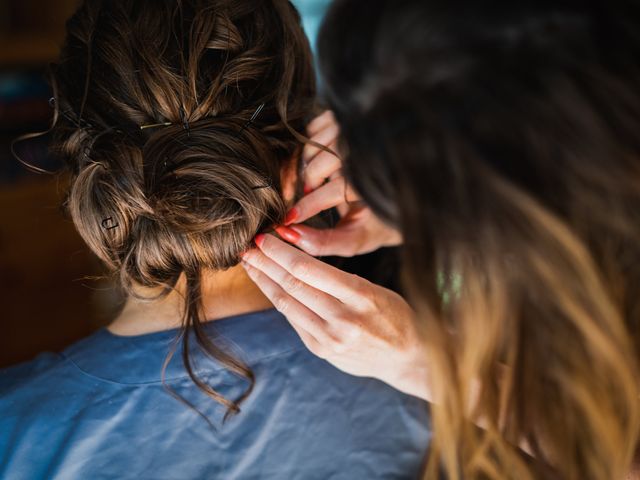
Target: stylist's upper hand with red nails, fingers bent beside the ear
point(359, 230)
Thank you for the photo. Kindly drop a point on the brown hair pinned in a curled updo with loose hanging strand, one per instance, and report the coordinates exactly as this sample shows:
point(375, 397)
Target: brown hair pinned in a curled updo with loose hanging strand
point(222, 90)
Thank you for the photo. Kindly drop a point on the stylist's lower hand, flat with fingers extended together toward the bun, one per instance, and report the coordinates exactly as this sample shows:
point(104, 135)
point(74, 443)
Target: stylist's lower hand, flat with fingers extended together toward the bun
point(359, 327)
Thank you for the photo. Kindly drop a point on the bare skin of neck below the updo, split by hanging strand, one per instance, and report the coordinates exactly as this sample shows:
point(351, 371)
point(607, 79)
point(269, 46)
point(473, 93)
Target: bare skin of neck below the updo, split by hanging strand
point(224, 294)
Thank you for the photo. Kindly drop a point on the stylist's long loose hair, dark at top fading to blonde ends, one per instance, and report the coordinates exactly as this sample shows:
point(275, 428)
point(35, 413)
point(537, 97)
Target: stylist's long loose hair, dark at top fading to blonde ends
point(503, 139)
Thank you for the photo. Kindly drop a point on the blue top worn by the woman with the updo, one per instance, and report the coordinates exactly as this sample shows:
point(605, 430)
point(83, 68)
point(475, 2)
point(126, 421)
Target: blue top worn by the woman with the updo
point(99, 410)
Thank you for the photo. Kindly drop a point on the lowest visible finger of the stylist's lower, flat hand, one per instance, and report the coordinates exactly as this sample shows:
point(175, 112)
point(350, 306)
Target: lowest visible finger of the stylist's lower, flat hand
point(309, 326)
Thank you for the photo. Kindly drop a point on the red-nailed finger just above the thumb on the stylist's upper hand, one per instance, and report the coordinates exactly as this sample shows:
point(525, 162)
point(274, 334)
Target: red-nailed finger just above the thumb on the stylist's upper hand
point(327, 196)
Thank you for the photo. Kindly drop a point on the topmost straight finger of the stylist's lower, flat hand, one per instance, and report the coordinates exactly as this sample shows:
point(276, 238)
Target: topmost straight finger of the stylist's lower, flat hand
point(330, 280)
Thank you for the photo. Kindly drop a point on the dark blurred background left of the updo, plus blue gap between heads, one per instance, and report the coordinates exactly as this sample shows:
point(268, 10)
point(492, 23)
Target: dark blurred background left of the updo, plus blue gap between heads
point(48, 297)
